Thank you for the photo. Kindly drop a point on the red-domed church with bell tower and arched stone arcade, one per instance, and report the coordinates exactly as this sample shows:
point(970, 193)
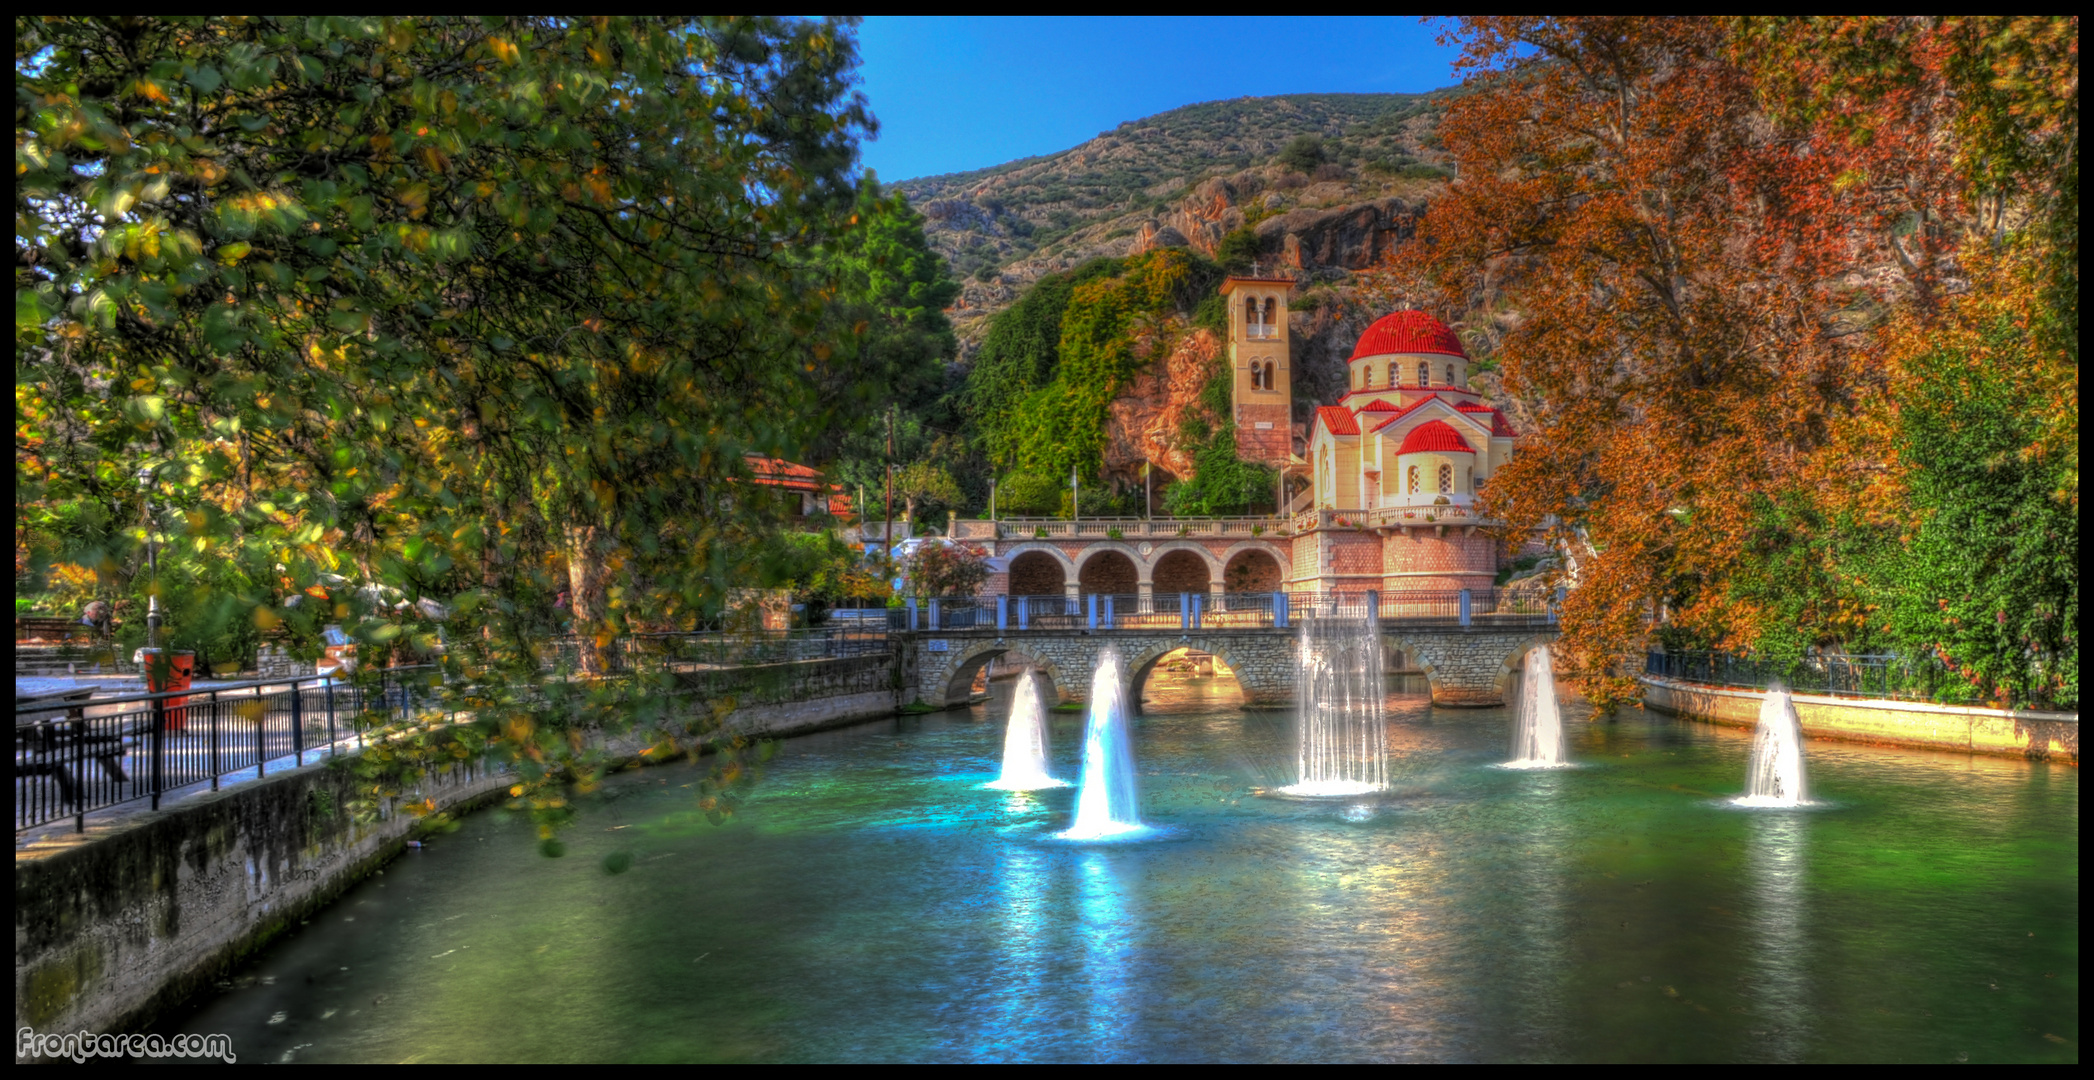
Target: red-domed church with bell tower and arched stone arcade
point(1394, 472)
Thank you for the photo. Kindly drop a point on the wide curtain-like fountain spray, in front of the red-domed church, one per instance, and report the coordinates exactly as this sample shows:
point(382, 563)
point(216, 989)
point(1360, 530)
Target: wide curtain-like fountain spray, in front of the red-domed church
point(1343, 740)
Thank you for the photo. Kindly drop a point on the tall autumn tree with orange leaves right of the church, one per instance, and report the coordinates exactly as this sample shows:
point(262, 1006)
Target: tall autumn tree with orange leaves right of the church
point(1703, 271)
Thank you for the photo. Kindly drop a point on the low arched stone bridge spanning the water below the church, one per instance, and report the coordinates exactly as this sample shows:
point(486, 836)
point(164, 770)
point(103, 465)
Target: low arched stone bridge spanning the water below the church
point(1465, 667)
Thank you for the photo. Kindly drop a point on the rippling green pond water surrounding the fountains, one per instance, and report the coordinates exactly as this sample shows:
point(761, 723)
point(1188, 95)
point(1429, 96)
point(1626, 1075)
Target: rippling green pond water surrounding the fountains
point(876, 905)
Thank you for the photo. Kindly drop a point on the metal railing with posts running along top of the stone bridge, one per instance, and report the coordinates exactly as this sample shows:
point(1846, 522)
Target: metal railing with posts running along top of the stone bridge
point(1465, 608)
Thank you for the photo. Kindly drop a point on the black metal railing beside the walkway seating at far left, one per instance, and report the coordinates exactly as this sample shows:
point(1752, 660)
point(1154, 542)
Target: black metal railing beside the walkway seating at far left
point(76, 755)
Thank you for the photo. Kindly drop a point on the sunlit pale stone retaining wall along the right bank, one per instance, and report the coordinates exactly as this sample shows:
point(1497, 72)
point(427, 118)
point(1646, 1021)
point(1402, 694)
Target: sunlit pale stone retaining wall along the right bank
point(2003, 734)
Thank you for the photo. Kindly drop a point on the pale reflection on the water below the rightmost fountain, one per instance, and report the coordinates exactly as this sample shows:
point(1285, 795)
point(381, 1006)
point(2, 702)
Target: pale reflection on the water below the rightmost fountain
point(1779, 968)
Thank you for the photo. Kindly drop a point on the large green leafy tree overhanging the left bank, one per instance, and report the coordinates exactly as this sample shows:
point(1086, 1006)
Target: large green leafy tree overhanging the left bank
point(443, 302)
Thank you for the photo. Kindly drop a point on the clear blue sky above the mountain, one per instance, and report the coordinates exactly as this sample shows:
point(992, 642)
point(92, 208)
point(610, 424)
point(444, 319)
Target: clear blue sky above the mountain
point(968, 93)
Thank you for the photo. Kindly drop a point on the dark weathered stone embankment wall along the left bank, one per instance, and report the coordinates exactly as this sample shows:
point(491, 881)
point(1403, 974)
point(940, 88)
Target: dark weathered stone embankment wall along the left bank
point(152, 907)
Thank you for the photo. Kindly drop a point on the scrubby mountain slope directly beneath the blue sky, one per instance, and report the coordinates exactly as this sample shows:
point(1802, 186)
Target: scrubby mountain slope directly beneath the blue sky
point(1190, 177)
